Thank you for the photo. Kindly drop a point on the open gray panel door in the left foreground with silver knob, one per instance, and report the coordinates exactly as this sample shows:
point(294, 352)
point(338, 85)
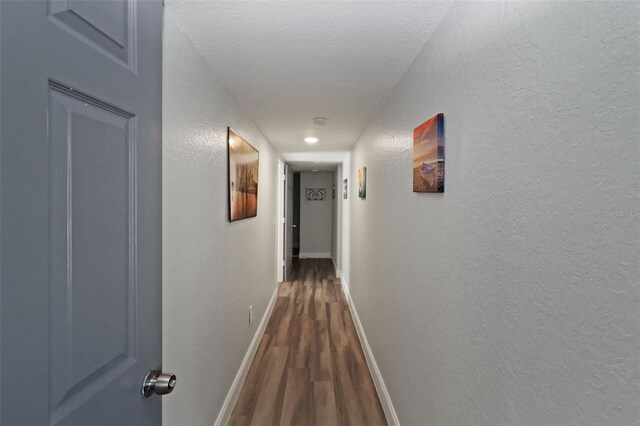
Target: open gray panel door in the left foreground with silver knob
point(80, 211)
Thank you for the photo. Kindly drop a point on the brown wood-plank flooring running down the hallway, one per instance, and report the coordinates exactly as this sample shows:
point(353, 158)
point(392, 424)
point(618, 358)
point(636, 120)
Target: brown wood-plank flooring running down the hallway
point(309, 368)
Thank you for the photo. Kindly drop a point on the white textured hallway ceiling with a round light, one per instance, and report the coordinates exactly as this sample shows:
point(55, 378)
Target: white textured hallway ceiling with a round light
point(287, 62)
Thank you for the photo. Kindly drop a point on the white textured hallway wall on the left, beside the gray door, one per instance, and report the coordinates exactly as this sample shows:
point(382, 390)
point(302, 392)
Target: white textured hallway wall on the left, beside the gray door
point(213, 270)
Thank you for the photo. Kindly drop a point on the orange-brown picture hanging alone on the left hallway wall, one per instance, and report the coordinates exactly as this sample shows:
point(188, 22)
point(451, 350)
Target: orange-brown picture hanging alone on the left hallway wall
point(243, 178)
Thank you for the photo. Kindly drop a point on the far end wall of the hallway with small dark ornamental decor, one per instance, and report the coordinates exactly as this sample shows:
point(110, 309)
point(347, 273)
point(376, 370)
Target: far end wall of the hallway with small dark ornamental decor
point(315, 216)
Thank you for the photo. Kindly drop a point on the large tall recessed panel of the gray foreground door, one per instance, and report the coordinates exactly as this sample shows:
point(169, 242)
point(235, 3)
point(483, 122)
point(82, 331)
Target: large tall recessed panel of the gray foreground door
point(92, 224)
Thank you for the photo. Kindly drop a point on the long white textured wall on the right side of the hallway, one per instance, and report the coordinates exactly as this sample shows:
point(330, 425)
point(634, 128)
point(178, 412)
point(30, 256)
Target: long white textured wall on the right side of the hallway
point(512, 298)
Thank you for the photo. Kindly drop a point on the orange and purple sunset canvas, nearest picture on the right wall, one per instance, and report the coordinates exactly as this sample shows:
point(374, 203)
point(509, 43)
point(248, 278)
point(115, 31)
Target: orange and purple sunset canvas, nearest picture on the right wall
point(428, 155)
